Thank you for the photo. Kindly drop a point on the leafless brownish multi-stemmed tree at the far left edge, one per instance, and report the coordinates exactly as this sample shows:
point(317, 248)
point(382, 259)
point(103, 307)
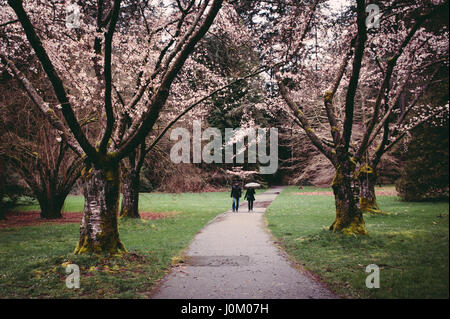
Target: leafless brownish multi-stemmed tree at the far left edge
point(46, 165)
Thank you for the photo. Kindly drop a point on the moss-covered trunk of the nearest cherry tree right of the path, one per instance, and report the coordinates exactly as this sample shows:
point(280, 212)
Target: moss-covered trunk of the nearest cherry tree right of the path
point(349, 218)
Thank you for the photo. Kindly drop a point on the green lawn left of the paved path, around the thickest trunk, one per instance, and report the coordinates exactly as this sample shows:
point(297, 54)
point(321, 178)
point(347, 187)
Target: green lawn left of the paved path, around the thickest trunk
point(33, 258)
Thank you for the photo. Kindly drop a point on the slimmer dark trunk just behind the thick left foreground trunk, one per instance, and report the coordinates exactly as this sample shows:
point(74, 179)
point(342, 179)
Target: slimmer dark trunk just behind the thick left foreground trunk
point(130, 193)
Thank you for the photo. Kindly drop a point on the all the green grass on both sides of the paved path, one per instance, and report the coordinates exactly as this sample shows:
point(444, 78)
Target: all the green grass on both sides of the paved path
point(409, 244)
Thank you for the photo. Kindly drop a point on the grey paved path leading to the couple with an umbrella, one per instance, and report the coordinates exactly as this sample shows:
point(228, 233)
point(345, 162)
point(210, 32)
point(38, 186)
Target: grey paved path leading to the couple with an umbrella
point(234, 257)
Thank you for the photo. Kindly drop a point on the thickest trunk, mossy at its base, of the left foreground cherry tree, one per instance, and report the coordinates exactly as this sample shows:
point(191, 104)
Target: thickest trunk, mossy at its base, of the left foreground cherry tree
point(98, 231)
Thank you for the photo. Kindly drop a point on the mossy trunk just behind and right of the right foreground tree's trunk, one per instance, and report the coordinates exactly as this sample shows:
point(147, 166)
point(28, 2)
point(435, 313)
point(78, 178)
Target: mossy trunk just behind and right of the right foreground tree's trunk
point(367, 177)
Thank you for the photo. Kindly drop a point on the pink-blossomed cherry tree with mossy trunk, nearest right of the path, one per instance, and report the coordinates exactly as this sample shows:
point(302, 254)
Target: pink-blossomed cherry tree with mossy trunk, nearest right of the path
point(300, 83)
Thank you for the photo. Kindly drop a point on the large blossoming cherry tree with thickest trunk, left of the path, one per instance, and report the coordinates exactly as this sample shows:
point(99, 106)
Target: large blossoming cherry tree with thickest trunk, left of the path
point(110, 51)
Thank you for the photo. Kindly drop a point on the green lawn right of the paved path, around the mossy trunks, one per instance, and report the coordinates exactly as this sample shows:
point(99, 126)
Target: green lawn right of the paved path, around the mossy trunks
point(410, 244)
